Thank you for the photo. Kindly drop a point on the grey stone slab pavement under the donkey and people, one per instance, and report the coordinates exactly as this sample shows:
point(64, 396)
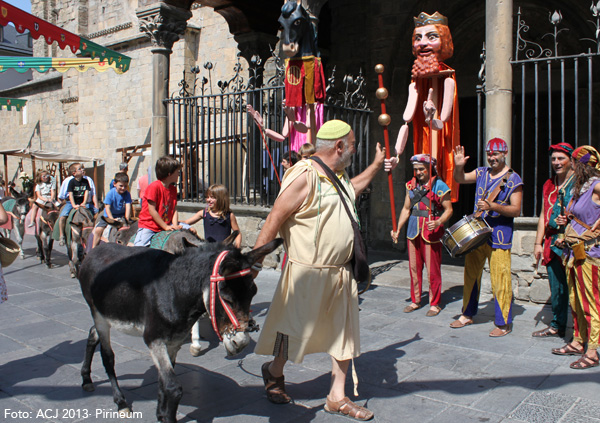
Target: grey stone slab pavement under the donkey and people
point(413, 368)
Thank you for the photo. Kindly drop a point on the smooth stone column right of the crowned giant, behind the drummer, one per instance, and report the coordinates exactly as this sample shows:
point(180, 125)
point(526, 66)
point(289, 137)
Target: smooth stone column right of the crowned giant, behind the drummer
point(498, 71)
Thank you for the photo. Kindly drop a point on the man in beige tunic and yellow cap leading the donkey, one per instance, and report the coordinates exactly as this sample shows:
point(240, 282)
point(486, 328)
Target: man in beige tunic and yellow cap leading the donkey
point(315, 305)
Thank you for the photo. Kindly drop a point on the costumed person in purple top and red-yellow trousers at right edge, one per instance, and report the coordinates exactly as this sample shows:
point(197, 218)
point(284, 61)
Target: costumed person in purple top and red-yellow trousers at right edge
point(582, 255)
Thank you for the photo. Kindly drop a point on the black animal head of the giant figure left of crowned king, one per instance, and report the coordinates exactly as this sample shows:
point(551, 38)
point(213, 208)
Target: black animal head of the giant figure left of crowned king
point(298, 35)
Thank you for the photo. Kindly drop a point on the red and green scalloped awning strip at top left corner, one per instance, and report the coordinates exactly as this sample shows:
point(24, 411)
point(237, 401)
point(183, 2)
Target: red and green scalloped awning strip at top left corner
point(36, 26)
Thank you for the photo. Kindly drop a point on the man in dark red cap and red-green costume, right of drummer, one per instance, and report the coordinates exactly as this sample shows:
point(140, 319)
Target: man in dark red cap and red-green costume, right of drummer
point(556, 196)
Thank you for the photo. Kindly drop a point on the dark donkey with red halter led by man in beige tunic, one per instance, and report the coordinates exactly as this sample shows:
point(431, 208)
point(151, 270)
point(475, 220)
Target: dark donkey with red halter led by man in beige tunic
point(159, 296)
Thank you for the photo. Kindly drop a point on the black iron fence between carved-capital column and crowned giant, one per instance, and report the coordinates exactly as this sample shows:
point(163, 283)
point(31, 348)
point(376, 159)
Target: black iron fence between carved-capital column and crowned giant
point(218, 143)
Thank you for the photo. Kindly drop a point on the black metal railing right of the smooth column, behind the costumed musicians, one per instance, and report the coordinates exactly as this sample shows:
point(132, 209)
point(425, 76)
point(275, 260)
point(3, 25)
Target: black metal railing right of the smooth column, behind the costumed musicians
point(553, 101)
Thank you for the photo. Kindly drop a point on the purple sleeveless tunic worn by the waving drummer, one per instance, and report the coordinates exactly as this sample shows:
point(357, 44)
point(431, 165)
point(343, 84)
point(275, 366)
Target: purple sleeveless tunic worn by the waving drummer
point(502, 226)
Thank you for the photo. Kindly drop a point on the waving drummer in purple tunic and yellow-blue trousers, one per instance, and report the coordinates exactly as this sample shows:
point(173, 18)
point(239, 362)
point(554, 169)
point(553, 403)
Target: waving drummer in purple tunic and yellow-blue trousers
point(498, 196)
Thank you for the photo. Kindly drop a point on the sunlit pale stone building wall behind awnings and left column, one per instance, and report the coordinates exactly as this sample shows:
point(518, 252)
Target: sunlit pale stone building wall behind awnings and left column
point(94, 113)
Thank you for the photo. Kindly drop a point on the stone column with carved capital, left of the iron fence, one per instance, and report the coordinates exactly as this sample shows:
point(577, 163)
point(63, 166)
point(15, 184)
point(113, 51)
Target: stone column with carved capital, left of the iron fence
point(163, 23)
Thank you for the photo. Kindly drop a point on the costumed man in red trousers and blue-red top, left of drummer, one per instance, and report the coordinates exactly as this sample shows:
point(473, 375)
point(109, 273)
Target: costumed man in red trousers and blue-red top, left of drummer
point(426, 210)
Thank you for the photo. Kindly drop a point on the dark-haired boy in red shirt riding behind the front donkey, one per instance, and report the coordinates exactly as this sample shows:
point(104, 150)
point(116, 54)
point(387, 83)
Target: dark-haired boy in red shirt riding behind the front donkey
point(158, 210)
